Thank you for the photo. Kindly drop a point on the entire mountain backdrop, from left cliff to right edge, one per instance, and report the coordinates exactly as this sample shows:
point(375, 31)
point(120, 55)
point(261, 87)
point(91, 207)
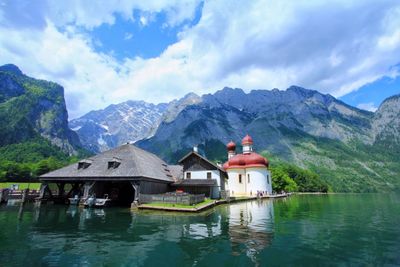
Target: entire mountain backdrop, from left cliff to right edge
point(353, 150)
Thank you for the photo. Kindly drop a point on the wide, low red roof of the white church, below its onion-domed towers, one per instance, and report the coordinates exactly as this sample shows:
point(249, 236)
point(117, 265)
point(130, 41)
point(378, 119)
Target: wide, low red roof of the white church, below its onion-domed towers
point(242, 161)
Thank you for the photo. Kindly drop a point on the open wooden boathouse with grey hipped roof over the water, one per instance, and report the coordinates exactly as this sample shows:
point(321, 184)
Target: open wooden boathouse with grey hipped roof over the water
point(121, 174)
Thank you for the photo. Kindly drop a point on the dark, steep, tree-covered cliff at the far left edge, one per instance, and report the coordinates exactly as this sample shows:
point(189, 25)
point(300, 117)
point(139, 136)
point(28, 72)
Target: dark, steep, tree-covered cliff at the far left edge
point(31, 108)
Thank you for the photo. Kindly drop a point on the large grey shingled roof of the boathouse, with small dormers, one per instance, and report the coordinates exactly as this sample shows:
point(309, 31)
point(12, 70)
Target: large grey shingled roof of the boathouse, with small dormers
point(132, 162)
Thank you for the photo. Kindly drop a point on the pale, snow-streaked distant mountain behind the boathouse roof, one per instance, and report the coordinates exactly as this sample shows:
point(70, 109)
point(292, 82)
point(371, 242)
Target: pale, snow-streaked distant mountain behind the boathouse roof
point(126, 122)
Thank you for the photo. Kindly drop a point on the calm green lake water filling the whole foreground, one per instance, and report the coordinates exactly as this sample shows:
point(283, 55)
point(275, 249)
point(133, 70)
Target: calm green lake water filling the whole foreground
point(305, 230)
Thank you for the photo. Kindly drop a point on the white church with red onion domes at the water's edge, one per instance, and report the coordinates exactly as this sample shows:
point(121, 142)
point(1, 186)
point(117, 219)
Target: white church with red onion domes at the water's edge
point(248, 173)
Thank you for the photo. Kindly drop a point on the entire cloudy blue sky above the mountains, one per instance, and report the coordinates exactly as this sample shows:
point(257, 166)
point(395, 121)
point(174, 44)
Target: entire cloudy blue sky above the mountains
point(106, 52)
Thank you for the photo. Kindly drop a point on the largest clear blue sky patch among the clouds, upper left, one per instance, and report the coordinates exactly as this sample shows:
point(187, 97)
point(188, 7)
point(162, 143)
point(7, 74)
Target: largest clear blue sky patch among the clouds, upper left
point(146, 37)
